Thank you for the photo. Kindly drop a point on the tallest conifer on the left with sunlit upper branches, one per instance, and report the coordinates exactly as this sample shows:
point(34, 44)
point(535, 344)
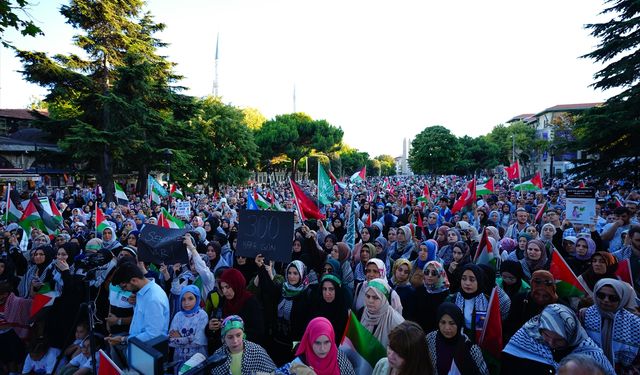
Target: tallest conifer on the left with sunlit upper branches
point(82, 92)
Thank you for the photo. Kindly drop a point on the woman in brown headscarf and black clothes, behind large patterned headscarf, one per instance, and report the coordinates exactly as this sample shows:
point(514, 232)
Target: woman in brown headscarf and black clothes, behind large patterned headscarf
point(525, 306)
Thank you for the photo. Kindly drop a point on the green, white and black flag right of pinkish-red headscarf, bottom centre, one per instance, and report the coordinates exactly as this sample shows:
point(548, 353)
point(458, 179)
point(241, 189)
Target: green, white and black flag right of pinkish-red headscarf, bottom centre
point(361, 347)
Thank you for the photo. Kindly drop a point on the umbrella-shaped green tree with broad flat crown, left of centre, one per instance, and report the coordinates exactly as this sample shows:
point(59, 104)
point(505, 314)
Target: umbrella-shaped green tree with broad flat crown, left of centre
point(296, 135)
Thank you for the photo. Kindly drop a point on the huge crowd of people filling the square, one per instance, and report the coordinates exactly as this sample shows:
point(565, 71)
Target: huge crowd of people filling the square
point(407, 270)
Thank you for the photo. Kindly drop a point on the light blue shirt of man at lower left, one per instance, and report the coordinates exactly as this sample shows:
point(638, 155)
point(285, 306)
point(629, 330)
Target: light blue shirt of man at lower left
point(150, 314)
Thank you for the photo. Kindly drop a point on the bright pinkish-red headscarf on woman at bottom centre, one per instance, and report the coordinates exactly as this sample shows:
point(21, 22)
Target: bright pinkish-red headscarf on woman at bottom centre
point(322, 366)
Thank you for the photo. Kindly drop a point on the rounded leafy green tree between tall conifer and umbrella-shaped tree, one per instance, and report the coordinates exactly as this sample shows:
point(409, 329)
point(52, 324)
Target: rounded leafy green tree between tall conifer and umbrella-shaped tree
point(226, 151)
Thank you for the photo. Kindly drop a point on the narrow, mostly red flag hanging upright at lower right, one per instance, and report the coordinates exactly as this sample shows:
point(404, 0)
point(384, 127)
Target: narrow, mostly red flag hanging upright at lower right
point(490, 341)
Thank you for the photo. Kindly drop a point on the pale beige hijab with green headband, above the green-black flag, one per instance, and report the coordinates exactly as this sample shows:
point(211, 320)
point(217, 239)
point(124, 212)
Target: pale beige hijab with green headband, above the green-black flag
point(381, 322)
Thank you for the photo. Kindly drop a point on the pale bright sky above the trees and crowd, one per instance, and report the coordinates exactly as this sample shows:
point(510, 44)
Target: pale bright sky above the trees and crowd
point(381, 70)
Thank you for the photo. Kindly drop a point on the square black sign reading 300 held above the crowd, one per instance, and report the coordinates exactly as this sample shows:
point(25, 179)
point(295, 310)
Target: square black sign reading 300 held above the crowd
point(269, 233)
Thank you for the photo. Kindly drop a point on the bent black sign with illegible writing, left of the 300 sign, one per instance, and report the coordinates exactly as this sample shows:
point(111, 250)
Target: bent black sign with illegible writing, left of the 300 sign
point(162, 245)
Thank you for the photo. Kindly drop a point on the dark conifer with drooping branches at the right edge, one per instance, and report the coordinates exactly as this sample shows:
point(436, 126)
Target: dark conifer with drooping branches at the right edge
point(609, 134)
